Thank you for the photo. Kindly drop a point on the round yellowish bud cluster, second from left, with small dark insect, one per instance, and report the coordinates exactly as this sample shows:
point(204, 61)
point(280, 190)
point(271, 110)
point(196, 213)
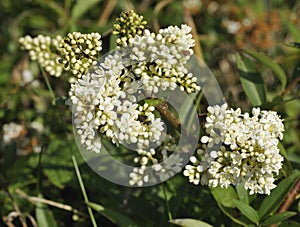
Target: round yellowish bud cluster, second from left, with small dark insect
point(80, 51)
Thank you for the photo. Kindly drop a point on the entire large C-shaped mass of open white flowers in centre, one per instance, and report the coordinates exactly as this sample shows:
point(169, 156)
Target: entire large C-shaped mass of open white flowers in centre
point(104, 101)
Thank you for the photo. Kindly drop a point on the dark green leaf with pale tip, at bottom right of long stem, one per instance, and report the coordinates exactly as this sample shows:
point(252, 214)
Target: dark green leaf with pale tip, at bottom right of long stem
point(113, 215)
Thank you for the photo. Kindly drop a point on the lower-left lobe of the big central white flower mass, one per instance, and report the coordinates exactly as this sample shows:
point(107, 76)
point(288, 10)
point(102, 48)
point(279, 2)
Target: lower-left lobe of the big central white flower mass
point(101, 105)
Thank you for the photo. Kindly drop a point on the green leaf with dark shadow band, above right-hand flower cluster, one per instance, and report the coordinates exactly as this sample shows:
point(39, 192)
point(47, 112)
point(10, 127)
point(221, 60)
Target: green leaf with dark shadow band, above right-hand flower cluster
point(251, 81)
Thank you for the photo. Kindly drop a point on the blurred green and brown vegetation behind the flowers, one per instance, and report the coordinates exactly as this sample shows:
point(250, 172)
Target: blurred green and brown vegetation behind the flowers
point(222, 29)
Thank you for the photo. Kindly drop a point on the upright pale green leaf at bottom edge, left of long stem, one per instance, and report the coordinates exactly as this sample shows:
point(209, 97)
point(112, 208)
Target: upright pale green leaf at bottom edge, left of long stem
point(44, 216)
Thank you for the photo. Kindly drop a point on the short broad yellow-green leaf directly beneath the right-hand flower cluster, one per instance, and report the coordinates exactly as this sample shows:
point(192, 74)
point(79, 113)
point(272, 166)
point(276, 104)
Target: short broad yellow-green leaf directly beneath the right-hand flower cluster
point(224, 196)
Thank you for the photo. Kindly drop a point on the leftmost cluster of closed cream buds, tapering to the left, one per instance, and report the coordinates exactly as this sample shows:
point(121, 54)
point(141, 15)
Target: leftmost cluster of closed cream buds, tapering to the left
point(45, 50)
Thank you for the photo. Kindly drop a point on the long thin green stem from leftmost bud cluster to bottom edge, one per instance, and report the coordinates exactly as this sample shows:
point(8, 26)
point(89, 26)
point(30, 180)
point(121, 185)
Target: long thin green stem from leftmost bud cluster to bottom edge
point(79, 178)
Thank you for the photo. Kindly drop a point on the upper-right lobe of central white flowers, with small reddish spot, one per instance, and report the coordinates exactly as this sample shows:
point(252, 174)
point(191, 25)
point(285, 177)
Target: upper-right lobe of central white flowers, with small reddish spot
point(161, 58)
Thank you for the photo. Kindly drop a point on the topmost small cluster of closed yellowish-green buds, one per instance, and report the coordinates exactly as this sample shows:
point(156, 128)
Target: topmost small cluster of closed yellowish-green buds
point(127, 26)
